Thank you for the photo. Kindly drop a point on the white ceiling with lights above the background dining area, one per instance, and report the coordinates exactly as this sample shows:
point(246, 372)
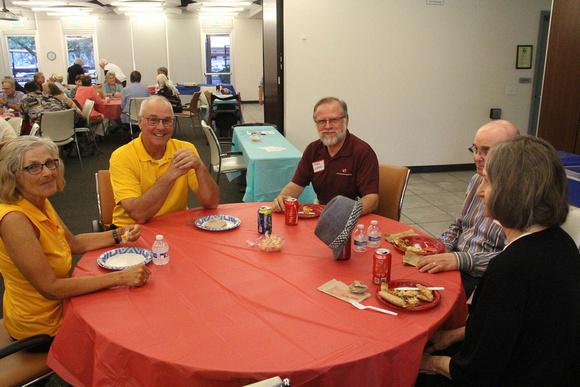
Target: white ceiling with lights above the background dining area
point(251, 8)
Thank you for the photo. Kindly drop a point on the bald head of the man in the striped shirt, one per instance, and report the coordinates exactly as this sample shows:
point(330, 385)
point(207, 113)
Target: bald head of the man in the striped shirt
point(489, 135)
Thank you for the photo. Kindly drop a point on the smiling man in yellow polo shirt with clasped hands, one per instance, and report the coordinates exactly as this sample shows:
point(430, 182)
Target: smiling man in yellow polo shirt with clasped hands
point(151, 175)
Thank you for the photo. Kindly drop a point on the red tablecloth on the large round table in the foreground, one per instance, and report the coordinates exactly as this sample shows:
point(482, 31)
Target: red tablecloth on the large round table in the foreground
point(222, 313)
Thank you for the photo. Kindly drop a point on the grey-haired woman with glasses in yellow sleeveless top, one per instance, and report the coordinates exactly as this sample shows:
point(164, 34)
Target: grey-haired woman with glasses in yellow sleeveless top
point(36, 272)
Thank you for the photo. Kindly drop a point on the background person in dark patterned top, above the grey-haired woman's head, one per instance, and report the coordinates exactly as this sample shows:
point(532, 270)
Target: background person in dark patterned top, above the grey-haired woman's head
point(34, 104)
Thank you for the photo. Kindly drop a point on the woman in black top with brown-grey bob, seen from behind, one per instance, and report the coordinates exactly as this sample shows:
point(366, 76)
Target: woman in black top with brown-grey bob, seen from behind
point(526, 308)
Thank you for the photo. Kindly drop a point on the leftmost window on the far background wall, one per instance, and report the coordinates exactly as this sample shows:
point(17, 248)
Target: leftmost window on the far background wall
point(22, 52)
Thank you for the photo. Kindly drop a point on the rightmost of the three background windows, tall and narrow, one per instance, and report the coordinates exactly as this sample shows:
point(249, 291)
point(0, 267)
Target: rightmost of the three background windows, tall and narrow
point(217, 59)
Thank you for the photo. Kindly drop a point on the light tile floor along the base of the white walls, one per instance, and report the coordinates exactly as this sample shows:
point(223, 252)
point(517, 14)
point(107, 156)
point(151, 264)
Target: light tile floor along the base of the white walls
point(432, 200)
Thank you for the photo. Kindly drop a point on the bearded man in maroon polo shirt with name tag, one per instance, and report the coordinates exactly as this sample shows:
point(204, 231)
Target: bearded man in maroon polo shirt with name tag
point(339, 163)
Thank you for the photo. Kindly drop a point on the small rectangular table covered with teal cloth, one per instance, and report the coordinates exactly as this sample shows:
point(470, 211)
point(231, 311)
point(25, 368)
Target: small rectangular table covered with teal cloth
point(268, 172)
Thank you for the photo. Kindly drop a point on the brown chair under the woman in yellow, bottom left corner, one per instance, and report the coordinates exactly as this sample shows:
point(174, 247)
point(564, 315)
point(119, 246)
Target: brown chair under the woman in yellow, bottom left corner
point(21, 367)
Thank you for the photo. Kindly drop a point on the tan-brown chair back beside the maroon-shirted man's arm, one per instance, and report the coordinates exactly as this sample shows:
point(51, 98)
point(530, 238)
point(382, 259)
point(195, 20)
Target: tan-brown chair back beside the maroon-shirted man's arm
point(392, 185)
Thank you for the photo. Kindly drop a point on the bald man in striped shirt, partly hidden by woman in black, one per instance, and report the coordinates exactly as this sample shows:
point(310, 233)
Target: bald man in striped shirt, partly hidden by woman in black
point(473, 239)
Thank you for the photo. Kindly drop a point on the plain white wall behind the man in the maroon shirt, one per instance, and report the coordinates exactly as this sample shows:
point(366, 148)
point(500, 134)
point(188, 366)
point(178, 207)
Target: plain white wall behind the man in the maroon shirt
point(419, 79)
